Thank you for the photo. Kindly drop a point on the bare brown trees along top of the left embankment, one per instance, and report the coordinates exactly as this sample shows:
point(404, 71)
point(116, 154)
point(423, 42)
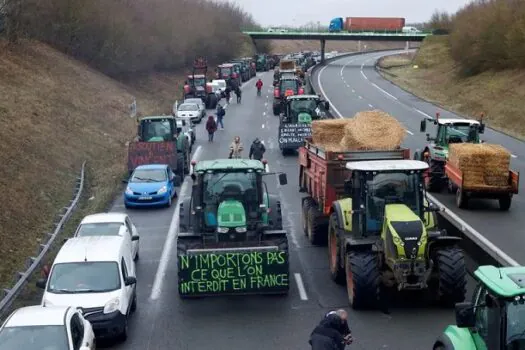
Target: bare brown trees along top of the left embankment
point(121, 37)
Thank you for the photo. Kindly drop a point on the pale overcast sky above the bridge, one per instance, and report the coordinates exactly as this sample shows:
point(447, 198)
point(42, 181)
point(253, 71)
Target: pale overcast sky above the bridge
point(299, 12)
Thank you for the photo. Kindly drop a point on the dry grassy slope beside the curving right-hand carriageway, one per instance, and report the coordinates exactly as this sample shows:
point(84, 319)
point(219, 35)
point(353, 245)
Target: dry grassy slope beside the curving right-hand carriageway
point(500, 95)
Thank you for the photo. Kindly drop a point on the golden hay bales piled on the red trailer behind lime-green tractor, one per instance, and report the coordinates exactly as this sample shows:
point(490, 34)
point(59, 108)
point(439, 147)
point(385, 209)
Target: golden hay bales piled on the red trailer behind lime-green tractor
point(369, 130)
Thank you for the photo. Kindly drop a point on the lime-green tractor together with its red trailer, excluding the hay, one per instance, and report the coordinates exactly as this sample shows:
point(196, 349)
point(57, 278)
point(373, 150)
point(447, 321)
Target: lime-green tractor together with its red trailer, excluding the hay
point(382, 232)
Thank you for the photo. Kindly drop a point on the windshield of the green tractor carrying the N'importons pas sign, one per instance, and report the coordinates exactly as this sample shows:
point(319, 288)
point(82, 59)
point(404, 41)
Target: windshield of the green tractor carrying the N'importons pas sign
point(220, 186)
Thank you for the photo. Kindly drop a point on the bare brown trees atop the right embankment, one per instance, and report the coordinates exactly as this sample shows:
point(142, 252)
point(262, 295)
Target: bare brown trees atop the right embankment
point(486, 35)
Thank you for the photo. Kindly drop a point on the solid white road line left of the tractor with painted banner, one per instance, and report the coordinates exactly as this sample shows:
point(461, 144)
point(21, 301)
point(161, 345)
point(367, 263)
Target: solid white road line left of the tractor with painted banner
point(171, 237)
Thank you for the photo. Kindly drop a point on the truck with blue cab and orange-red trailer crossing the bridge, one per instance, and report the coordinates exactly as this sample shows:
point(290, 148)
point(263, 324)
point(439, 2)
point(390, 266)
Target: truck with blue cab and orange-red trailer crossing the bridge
point(366, 24)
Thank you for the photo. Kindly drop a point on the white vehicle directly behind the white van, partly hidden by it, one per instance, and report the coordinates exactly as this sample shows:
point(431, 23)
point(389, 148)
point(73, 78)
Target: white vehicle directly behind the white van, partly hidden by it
point(110, 224)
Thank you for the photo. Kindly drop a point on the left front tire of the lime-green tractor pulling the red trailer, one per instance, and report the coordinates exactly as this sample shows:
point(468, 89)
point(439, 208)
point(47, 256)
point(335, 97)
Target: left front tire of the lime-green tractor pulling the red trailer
point(362, 280)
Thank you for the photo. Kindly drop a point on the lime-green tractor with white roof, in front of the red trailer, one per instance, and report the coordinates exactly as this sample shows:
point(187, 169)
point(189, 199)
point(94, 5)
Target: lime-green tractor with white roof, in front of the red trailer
point(385, 236)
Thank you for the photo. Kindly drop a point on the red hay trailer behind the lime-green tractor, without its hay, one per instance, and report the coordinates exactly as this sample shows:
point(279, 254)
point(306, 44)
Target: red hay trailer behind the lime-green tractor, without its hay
point(322, 175)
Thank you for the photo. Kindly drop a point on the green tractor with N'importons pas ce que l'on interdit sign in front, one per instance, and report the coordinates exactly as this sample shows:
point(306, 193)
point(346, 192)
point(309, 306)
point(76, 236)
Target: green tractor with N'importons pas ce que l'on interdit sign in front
point(231, 239)
